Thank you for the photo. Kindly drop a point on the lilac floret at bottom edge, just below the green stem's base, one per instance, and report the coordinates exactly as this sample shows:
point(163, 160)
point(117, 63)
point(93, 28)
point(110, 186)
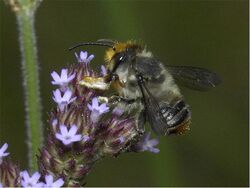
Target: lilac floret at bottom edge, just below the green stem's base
point(32, 181)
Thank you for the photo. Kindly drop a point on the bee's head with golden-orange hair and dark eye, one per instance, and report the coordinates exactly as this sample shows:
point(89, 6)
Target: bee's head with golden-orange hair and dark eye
point(120, 53)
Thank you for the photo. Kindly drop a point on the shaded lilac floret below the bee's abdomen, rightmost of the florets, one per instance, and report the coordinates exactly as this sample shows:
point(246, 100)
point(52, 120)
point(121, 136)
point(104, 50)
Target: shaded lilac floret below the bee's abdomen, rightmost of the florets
point(148, 144)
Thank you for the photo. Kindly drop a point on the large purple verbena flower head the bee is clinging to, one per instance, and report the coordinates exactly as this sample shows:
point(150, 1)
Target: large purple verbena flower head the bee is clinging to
point(85, 130)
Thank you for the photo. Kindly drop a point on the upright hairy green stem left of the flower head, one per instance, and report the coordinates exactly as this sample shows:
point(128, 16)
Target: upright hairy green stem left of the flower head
point(25, 11)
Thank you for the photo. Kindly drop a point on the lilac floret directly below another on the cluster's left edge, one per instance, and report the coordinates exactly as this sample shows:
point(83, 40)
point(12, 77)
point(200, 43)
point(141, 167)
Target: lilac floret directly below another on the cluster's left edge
point(64, 100)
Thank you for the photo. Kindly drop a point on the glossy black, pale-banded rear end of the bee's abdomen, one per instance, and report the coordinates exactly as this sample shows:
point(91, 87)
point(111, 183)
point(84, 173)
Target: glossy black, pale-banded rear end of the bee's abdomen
point(176, 115)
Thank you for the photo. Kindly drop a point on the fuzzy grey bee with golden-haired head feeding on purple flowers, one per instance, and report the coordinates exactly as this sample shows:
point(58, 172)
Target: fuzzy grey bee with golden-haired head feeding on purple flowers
point(144, 83)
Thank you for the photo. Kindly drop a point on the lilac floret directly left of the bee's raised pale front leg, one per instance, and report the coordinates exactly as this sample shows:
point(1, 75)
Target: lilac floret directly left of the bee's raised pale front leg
point(62, 80)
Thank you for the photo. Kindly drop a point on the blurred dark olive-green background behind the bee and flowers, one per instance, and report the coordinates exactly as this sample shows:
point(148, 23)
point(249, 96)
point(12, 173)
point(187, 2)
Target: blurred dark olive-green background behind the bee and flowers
point(209, 34)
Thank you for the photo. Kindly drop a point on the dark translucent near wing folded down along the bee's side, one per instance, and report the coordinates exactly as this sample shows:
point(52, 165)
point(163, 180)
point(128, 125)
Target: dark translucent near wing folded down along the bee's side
point(153, 112)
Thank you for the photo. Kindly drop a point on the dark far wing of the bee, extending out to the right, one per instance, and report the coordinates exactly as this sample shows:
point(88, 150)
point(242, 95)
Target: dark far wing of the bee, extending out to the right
point(194, 77)
